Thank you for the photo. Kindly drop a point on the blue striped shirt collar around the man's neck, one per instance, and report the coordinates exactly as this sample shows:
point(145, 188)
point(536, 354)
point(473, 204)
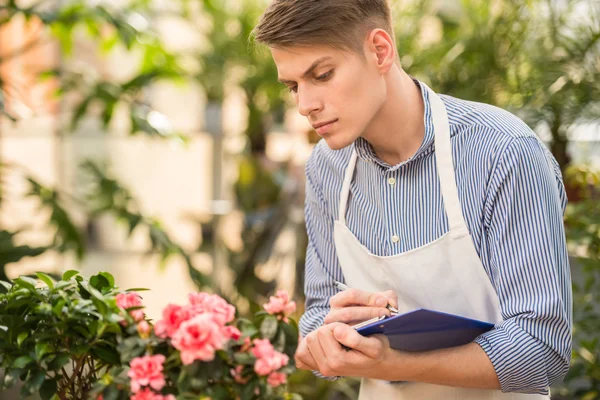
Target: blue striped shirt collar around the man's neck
point(365, 151)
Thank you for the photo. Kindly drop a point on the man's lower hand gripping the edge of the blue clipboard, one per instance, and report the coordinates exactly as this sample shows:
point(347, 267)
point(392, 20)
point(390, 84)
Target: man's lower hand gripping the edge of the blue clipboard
point(322, 351)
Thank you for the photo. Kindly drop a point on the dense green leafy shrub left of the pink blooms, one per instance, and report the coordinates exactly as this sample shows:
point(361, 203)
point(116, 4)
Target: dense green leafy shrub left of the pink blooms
point(57, 337)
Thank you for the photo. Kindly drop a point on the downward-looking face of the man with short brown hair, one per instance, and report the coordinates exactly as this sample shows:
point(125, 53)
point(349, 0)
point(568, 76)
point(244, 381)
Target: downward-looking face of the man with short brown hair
point(339, 92)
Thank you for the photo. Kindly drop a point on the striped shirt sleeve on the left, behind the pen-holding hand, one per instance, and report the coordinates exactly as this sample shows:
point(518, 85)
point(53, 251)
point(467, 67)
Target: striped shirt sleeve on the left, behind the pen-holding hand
point(322, 266)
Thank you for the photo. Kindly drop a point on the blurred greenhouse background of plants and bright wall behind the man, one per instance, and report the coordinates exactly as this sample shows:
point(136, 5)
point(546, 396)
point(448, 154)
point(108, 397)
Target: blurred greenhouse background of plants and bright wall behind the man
point(150, 139)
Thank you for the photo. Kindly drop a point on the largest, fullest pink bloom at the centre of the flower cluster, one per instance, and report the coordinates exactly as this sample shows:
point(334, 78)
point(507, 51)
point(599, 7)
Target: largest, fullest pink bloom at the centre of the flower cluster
point(198, 339)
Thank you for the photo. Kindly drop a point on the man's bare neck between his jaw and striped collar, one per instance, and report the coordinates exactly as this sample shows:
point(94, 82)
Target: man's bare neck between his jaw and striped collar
point(398, 129)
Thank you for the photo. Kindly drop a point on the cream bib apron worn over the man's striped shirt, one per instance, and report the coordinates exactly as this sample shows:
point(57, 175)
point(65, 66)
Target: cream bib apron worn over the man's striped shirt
point(444, 275)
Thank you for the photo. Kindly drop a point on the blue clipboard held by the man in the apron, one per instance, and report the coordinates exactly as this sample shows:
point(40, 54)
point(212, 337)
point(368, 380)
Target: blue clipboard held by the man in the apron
point(424, 329)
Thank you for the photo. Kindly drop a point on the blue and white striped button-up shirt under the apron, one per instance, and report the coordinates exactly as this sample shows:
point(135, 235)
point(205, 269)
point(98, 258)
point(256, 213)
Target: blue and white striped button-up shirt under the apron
point(513, 200)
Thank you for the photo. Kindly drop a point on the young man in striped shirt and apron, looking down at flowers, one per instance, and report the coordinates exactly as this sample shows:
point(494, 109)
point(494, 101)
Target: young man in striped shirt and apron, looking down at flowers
point(419, 200)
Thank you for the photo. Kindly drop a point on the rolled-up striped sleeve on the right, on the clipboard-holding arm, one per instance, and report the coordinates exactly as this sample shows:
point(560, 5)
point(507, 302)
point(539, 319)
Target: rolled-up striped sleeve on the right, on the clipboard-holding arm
point(528, 263)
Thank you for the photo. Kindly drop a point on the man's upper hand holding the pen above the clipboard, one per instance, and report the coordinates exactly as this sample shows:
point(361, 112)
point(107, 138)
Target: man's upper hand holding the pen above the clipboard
point(353, 306)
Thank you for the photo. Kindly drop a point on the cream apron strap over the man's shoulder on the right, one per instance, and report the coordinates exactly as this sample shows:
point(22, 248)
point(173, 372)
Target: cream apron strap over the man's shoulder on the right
point(445, 165)
